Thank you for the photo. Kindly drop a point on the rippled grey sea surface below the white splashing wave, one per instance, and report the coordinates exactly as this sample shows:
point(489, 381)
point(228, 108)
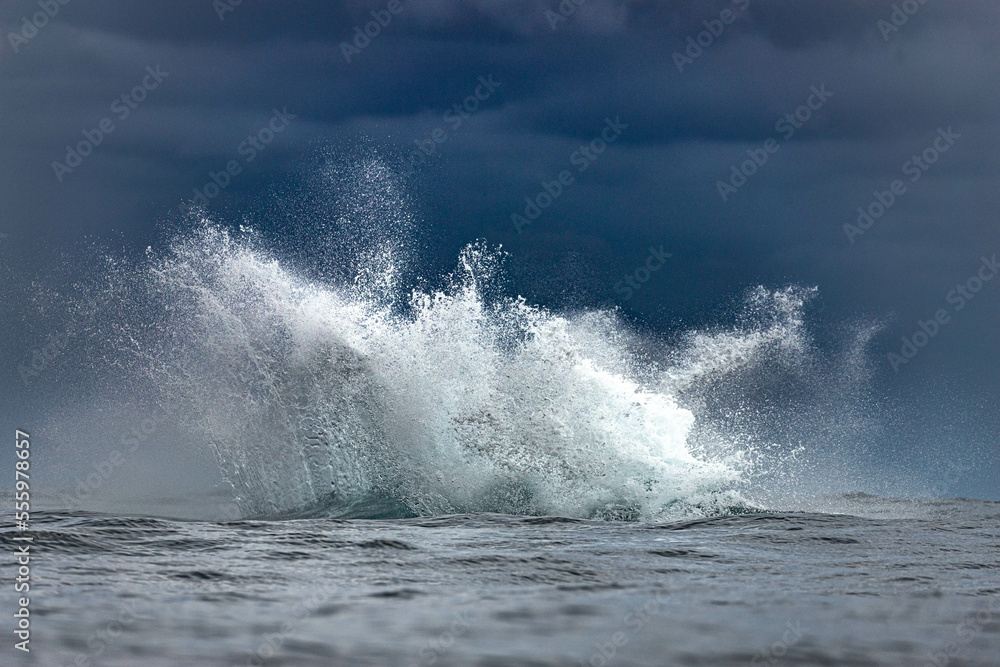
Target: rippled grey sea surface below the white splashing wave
point(868, 581)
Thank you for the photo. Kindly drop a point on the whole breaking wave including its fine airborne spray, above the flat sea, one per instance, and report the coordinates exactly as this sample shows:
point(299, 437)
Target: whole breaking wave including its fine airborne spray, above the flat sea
point(324, 384)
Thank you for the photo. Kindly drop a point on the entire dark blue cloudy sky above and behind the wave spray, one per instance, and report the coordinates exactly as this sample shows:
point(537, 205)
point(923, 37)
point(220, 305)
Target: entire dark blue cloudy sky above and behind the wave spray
point(647, 111)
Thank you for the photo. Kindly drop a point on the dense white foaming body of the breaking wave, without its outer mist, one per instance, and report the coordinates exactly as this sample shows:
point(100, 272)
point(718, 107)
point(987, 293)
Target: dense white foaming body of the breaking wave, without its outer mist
point(333, 400)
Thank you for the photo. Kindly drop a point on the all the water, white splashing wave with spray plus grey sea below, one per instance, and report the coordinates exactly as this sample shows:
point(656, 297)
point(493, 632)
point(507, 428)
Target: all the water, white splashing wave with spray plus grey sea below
point(435, 472)
